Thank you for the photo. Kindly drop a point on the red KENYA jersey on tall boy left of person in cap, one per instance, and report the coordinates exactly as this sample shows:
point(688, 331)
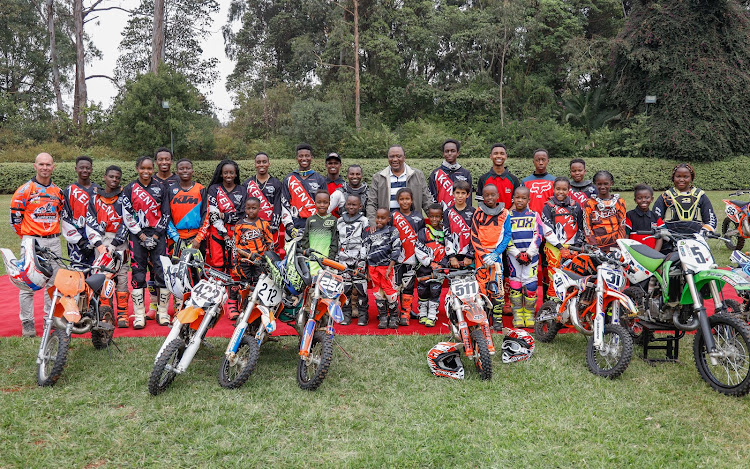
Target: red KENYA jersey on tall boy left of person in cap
point(298, 197)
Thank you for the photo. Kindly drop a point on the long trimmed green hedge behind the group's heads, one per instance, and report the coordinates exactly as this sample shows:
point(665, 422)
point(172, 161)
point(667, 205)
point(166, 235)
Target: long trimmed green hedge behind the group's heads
point(723, 175)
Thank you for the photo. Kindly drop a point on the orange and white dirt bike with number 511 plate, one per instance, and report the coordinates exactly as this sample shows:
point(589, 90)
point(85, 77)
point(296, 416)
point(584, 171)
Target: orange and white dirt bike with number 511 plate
point(467, 310)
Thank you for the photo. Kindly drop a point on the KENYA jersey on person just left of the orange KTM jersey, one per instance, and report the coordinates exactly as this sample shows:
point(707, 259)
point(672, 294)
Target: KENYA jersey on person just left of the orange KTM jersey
point(145, 207)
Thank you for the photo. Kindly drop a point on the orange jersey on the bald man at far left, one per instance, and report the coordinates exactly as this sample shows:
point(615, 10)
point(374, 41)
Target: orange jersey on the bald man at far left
point(35, 209)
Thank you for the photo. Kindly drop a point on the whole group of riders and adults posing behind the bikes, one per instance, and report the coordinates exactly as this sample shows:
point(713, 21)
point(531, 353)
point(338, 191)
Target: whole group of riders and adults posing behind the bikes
point(400, 227)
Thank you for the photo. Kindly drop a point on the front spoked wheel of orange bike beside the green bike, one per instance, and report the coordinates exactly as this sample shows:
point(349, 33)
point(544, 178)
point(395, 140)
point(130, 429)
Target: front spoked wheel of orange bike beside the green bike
point(615, 355)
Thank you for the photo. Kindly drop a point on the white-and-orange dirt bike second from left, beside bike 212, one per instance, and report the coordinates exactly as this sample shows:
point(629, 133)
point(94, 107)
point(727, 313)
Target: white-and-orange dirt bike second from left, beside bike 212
point(201, 311)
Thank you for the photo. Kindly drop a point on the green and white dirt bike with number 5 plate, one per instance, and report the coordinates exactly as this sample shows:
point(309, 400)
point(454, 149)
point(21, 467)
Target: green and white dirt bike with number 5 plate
point(673, 299)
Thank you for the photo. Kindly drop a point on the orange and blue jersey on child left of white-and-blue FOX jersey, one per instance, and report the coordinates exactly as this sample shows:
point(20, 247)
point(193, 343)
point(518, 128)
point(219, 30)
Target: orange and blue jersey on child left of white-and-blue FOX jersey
point(490, 231)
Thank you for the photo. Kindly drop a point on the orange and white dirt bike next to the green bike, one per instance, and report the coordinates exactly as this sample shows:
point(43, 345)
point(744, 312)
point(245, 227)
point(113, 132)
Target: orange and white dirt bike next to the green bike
point(592, 304)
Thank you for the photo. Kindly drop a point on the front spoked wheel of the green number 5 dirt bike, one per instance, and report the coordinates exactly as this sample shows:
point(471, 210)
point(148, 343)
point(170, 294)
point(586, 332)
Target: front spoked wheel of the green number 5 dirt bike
point(731, 373)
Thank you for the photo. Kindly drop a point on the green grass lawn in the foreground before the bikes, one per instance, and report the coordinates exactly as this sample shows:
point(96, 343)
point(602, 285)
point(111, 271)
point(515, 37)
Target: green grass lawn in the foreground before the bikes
point(381, 408)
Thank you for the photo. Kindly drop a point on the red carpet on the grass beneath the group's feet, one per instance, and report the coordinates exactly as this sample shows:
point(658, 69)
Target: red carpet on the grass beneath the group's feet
point(10, 324)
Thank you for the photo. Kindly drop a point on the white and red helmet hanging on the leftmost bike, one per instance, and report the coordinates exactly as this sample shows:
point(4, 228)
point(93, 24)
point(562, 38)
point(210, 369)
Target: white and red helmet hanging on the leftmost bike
point(32, 271)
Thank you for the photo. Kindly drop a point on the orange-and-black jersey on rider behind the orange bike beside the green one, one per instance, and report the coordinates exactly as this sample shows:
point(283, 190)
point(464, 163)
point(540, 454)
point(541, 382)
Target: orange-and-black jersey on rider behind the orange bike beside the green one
point(604, 221)
